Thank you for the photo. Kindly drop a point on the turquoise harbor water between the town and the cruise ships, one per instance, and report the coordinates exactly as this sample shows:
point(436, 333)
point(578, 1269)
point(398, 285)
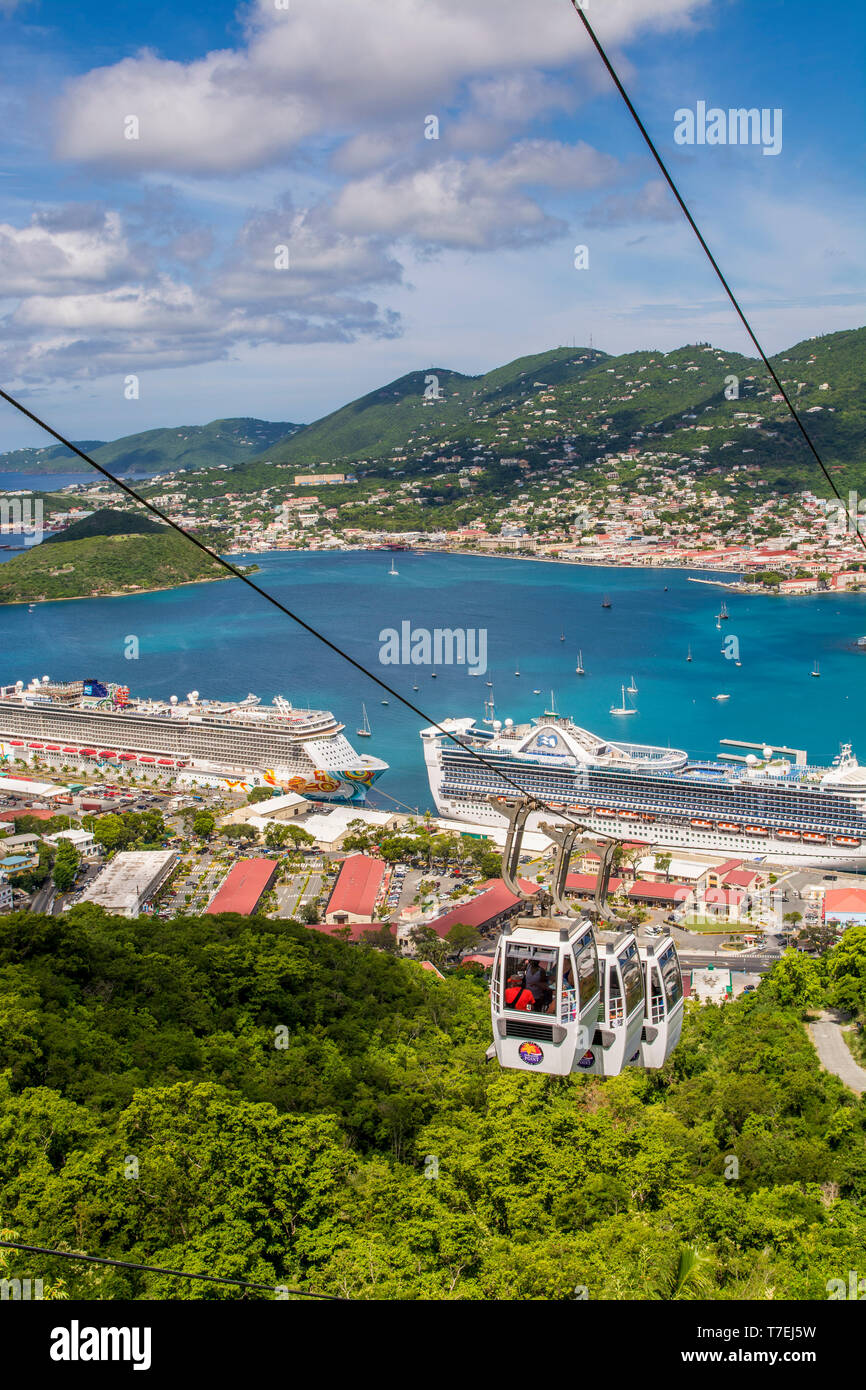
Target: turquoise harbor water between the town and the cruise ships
point(224, 641)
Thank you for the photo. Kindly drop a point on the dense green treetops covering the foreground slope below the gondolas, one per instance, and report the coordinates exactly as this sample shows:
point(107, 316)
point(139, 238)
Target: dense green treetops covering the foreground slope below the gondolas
point(256, 1100)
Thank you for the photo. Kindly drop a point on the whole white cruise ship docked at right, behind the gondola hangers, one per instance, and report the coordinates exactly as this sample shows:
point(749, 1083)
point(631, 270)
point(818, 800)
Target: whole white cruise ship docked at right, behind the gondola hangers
point(758, 807)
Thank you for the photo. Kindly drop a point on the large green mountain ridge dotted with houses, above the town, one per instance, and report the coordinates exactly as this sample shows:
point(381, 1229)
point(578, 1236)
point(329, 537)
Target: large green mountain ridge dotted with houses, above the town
point(672, 404)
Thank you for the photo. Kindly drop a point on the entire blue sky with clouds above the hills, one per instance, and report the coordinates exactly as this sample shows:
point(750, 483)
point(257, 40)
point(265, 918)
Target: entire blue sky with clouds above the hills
point(305, 129)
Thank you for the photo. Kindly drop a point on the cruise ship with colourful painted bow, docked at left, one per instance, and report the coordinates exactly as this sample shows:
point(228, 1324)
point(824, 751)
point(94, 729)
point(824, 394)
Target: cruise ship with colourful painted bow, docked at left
point(94, 726)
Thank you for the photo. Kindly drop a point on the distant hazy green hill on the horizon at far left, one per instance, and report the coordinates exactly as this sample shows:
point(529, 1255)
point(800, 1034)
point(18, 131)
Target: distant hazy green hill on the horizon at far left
point(186, 447)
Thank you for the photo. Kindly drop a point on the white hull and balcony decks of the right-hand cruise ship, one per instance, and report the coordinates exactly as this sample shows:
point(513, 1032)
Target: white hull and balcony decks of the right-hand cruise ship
point(721, 812)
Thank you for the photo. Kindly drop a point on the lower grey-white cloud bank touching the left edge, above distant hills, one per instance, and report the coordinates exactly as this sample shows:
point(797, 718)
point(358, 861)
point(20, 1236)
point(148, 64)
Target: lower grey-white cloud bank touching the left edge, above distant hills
point(90, 304)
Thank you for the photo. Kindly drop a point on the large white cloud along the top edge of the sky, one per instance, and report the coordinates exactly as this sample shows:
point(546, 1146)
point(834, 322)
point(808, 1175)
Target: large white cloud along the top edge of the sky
point(326, 67)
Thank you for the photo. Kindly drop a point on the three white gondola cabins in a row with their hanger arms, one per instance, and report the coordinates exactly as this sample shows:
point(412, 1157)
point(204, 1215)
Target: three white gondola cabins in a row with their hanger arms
point(568, 995)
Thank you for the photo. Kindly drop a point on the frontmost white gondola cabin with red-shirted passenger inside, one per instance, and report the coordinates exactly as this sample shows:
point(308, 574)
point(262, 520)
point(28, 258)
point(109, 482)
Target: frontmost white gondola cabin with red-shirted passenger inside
point(546, 996)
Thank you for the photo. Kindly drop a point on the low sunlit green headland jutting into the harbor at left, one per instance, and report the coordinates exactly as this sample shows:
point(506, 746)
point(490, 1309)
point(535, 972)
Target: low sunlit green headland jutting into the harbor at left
point(105, 565)
